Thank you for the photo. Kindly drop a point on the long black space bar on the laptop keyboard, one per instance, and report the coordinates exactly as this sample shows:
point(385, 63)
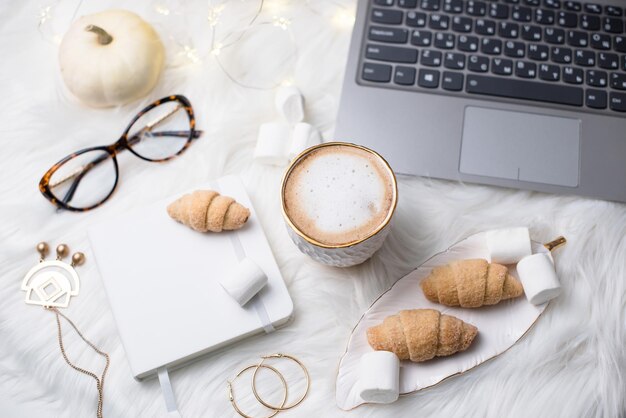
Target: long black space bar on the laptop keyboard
point(525, 90)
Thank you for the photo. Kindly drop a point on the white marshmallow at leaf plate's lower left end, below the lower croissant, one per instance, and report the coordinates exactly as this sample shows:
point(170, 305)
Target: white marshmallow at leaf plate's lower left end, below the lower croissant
point(379, 380)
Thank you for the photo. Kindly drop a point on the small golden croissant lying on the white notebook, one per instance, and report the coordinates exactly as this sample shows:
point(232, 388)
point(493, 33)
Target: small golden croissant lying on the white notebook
point(207, 210)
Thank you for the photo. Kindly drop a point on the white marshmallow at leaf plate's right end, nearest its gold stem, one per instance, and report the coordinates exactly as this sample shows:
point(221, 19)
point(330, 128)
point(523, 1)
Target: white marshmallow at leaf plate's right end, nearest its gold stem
point(537, 274)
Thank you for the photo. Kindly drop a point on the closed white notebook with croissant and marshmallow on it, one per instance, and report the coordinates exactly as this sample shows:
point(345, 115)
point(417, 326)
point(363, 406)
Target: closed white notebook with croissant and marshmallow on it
point(161, 279)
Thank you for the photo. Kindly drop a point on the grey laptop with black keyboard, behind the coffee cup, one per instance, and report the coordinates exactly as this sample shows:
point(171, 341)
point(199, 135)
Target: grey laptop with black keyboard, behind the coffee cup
point(527, 94)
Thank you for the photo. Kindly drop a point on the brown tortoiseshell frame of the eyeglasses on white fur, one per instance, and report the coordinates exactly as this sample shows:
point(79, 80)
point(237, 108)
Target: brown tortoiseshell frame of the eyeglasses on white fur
point(123, 143)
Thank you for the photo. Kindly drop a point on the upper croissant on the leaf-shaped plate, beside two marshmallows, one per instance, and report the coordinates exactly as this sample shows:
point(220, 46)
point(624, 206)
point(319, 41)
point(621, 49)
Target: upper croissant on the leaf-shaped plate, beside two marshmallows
point(470, 284)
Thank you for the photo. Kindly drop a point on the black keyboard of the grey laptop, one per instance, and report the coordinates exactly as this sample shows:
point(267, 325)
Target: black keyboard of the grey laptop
point(559, 52)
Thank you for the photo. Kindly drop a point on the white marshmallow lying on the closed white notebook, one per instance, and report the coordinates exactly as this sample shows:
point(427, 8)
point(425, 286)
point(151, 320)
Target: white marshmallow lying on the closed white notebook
point(245, 281)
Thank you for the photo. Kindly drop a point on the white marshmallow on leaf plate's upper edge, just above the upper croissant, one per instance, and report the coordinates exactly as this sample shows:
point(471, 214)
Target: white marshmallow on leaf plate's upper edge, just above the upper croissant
point(508, 246)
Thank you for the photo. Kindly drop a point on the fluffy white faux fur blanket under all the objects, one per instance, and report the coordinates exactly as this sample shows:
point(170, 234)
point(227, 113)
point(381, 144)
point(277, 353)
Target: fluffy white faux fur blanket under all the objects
point(572, 363)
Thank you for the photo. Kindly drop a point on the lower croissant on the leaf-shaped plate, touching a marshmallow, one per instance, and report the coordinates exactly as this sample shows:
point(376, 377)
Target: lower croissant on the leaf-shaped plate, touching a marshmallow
point(421, 334)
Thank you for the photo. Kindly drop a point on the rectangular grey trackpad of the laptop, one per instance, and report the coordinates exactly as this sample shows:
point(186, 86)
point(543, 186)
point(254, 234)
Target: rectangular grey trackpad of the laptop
point(520, 146)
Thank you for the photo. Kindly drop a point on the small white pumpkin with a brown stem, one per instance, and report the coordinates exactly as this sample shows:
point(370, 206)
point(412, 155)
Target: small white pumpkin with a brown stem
point(110, 58)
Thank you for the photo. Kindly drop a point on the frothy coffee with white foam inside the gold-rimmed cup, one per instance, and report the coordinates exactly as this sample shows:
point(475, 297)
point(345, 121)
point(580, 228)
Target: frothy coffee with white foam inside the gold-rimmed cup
point(339, 194)
